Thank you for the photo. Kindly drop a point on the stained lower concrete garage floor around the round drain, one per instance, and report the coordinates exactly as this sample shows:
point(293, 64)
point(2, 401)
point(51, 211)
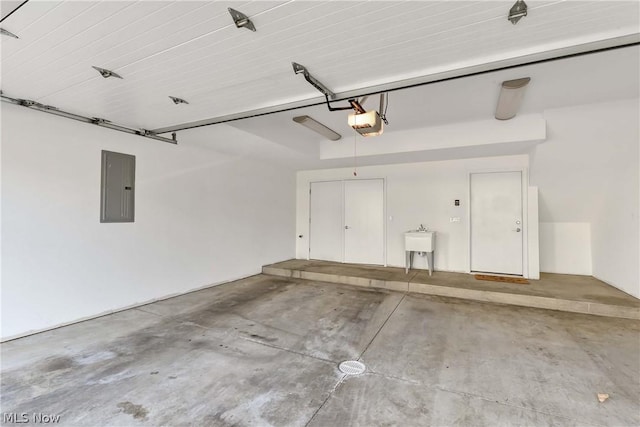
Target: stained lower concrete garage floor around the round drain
point(264, 351)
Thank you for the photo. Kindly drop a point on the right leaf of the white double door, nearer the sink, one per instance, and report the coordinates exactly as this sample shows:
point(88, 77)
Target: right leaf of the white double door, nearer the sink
point(364, 221)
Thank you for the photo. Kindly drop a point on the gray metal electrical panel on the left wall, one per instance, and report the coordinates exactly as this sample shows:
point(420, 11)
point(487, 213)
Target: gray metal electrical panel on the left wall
point(117, 190)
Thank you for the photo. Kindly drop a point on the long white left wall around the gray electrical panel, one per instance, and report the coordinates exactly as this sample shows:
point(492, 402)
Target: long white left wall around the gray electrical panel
point(201, 218)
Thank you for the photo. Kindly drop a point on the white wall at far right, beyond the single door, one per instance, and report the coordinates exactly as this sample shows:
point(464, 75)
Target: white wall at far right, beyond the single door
point(588, 172)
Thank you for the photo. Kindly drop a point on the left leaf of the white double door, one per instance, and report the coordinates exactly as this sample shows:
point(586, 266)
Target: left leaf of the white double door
point(325, 221)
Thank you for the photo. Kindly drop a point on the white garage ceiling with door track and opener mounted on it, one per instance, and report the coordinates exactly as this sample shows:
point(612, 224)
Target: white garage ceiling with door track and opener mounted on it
point(192, 50)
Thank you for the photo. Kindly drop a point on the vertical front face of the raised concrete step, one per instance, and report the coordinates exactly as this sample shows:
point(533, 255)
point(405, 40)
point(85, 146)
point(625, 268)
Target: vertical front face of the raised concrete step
point(584, 307)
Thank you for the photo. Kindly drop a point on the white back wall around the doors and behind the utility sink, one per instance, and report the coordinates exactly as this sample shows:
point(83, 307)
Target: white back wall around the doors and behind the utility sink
point(416, 193)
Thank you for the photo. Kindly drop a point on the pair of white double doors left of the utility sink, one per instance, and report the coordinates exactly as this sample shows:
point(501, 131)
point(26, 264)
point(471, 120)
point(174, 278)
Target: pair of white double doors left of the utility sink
point(346, 221)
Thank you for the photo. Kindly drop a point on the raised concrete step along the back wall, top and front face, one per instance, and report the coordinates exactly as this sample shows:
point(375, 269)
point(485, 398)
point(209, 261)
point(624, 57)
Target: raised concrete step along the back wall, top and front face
point(577, 294)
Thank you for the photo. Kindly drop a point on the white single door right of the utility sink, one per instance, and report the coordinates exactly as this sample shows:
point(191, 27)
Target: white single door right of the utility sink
point(496, 222)
